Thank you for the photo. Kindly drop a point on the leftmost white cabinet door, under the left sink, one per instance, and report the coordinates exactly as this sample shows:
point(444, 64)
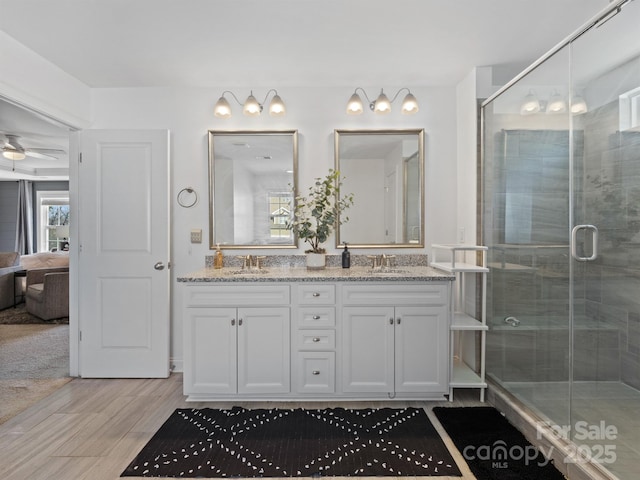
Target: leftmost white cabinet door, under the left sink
point(210, 356)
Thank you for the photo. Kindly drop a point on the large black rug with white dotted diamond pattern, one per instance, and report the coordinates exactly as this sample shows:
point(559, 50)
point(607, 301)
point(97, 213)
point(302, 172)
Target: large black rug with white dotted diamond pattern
point(294, 443)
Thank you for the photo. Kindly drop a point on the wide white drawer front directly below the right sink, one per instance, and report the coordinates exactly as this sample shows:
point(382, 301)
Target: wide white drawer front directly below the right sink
point(392, 294)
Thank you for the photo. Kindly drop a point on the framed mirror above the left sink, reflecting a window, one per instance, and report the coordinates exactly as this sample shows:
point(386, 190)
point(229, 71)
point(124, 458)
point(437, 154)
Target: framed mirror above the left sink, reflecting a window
point(252, 181)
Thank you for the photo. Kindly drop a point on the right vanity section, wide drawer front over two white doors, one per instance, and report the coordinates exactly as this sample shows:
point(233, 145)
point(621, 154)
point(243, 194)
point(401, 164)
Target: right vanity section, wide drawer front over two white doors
point(395, 338)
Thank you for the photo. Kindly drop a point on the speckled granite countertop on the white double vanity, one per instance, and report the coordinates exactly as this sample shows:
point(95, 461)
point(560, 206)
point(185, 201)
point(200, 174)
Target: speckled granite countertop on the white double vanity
point(286, 273)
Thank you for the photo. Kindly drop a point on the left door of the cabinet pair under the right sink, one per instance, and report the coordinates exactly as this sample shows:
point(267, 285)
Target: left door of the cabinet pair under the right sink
point(367, 353)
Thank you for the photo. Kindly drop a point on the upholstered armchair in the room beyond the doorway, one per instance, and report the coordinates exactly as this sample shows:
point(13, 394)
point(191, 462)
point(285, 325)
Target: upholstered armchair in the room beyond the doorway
point(47, 294)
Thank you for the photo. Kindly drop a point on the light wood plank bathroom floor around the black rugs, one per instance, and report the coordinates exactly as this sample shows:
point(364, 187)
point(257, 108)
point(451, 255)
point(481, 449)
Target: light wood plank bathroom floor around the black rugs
point(92, 429)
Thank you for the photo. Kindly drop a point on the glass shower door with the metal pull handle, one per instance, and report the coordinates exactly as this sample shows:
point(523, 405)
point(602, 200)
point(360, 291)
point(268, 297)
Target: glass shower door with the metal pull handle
point(605, 266)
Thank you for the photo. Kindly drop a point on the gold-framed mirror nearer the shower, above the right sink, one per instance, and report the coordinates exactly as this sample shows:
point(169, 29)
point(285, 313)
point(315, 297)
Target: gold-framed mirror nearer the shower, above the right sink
point(385, 171)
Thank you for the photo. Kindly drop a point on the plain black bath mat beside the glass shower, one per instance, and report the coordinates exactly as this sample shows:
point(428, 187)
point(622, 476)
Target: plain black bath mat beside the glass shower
point(492, 447)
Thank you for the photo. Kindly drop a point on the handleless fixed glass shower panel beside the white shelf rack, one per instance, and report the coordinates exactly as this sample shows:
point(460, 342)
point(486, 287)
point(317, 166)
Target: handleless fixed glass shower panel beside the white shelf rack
point(526, 220)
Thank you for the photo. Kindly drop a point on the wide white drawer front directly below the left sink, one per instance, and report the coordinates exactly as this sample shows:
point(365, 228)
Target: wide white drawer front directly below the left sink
point(234, 295)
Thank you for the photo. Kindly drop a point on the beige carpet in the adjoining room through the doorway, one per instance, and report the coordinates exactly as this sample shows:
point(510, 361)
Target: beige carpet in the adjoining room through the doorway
point(34, 362)
